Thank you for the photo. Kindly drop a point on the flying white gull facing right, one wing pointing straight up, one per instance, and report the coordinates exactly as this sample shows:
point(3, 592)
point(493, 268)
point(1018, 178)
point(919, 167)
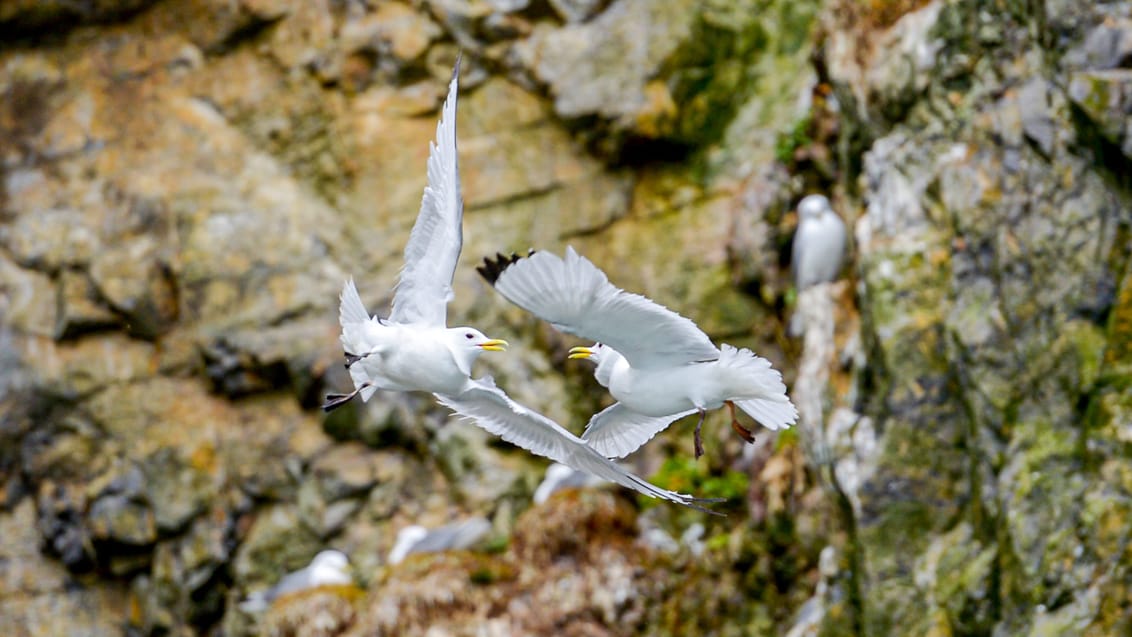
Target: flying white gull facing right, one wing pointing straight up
point(414, 351)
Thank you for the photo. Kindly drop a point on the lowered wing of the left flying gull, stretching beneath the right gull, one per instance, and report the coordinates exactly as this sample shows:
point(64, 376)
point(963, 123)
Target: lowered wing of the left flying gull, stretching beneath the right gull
point(492, 409)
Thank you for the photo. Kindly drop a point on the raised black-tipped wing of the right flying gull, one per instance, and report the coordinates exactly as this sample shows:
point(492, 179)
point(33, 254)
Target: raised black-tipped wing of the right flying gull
point(577, 298)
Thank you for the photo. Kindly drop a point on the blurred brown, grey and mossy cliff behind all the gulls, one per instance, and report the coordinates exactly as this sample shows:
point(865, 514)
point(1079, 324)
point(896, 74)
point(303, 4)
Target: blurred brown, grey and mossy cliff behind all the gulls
point(186, 185)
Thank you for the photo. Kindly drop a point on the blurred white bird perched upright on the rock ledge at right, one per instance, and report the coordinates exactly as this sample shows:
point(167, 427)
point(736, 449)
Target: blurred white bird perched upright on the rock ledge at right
point(819, 244)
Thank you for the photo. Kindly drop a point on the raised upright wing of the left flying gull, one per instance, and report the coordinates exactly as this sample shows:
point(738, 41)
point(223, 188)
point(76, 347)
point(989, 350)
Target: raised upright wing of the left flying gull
point(425, 288)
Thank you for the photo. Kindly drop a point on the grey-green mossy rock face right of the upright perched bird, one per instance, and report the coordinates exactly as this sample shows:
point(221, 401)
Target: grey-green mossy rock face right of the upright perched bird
point(993, 256)
